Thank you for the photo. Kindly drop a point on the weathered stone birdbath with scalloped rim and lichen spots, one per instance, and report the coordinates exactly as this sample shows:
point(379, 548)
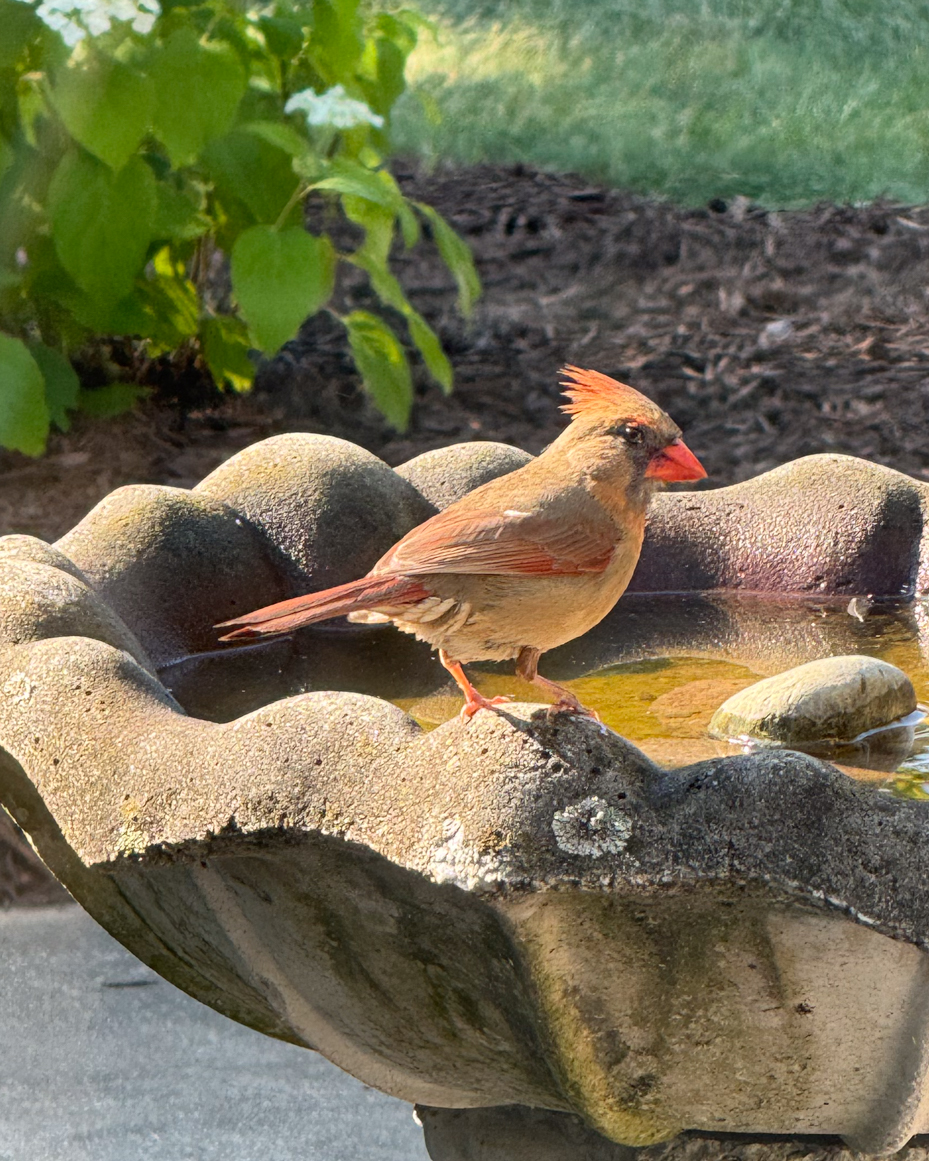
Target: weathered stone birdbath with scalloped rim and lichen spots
point(552, 943)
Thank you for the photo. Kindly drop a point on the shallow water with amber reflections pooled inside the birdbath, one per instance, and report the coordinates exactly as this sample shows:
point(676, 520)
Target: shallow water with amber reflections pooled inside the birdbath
point(656, 672)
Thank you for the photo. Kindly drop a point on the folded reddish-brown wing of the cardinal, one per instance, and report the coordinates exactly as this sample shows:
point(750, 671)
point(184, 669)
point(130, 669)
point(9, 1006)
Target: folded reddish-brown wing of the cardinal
point(505, 544)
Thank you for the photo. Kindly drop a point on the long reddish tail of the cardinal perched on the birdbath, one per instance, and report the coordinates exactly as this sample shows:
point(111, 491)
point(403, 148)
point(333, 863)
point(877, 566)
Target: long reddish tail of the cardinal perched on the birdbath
point(292, 615)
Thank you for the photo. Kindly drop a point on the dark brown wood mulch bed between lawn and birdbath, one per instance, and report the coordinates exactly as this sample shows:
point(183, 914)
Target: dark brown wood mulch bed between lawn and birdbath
point(768, 336)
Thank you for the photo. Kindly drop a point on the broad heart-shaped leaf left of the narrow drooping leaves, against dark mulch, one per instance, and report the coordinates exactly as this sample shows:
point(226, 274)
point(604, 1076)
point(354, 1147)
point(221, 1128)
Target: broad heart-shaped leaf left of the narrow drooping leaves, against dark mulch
point(279, 279)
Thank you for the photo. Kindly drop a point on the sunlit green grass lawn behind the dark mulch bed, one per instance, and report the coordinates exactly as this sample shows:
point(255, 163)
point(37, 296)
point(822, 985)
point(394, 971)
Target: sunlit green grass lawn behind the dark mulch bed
point(784, 102)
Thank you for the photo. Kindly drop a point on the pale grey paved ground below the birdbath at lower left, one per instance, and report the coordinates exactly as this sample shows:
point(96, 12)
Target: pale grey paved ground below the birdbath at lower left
point(103, 1061)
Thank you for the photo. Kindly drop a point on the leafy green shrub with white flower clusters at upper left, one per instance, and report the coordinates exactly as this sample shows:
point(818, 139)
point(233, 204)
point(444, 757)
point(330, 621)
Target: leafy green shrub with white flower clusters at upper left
point(139, 145)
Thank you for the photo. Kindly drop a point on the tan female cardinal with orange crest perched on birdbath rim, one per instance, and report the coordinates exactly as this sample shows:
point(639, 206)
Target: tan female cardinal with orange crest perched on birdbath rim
point(528, 561)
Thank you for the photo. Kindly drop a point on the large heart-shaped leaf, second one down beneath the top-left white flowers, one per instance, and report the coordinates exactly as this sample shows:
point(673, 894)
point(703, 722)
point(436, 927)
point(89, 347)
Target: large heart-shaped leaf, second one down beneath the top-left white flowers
point(103, 223)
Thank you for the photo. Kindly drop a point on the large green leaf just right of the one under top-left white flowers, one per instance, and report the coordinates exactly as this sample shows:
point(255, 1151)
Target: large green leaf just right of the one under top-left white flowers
point(199, 88)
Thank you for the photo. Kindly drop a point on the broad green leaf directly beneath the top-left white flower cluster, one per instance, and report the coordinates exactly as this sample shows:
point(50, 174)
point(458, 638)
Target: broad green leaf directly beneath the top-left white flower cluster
point(105, 105)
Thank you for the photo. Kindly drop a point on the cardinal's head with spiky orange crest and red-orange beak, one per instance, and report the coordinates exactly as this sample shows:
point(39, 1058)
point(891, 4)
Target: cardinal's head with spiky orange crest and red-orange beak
point(624, 438)
